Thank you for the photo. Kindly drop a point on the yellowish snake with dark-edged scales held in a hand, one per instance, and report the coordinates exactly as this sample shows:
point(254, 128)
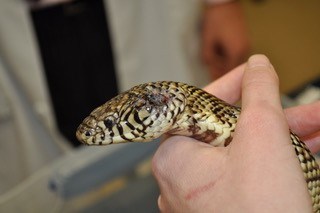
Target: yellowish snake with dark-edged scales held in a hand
point(147, 111)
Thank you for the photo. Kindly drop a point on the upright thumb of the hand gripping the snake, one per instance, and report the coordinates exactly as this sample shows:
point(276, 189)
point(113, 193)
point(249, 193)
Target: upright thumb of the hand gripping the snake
point(262, 114)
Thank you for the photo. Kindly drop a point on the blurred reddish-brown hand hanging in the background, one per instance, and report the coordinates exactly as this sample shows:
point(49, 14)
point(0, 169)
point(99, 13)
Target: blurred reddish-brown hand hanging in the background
point(225, 42)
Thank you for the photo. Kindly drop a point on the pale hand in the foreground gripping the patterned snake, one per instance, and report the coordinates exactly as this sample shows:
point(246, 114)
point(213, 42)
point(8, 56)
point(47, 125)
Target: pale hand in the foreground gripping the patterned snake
point(257, 172)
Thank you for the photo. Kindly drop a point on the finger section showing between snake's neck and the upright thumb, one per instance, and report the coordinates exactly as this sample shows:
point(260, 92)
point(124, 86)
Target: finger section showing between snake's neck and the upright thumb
point(228, 87)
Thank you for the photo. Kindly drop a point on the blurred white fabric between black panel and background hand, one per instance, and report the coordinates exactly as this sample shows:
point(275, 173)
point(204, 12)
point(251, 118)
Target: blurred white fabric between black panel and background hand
point(156, 40)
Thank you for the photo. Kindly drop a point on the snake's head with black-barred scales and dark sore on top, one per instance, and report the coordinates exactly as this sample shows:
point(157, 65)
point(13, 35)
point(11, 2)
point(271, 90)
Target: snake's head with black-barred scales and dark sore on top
point(140, 114)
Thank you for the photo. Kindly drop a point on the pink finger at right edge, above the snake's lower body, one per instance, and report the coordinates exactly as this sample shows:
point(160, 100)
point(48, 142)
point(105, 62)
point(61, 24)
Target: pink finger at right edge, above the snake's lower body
point(304, 120)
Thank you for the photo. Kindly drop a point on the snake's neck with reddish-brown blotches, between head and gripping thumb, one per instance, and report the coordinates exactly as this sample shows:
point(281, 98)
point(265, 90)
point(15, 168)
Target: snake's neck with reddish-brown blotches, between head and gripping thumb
point(206, 118)
